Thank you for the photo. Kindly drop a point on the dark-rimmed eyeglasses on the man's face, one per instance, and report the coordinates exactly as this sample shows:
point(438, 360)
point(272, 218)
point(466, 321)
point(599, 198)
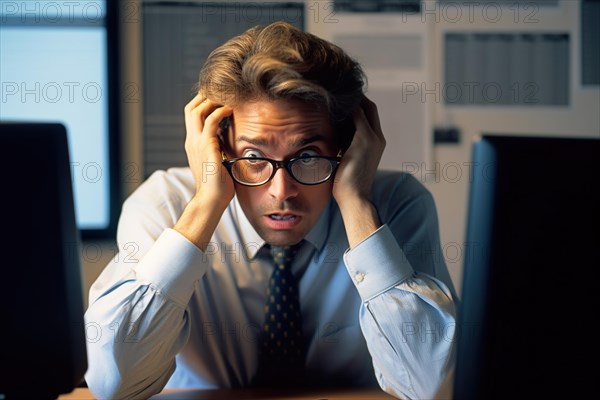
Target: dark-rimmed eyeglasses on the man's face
point(307, 170)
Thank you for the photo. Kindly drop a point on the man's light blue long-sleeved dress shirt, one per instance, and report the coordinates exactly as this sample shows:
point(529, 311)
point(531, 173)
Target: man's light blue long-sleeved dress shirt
point(165, 314)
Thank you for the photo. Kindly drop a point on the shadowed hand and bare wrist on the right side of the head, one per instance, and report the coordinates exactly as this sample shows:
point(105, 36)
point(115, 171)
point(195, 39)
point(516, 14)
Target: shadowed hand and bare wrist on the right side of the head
point(356, 173)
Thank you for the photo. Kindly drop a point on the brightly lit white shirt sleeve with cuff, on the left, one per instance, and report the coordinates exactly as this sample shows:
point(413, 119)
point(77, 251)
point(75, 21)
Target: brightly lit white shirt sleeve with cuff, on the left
point(137, 320)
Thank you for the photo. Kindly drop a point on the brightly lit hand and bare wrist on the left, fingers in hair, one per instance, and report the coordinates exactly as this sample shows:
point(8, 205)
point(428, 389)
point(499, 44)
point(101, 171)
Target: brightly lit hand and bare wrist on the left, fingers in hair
point(214, 186)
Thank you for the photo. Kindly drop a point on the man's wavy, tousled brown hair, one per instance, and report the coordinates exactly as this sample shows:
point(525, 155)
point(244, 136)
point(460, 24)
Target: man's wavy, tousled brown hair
point(279, 61)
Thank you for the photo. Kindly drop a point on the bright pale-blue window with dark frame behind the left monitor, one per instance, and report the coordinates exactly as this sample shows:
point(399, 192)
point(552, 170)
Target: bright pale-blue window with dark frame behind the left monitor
point(59, 61)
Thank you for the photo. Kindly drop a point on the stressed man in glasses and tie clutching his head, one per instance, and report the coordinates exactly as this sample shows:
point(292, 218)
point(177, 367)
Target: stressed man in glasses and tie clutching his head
point(283, 149)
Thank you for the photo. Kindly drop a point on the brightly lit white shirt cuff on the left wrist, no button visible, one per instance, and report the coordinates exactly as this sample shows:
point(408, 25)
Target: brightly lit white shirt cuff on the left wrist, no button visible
point(173, 265)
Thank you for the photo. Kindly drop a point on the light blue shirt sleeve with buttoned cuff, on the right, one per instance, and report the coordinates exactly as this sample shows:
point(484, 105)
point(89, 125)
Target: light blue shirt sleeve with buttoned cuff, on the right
point(408, 313)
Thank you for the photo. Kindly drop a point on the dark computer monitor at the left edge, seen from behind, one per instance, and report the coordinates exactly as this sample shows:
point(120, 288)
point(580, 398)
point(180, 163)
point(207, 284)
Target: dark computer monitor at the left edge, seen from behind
point(42, 338)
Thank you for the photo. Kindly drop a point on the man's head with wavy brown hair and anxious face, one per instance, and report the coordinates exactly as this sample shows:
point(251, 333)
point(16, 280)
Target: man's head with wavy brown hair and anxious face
point(293, 95)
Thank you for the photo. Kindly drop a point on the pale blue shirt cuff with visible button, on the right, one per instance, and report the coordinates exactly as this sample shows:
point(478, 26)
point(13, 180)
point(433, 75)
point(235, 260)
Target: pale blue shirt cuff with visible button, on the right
point(377, 263)
